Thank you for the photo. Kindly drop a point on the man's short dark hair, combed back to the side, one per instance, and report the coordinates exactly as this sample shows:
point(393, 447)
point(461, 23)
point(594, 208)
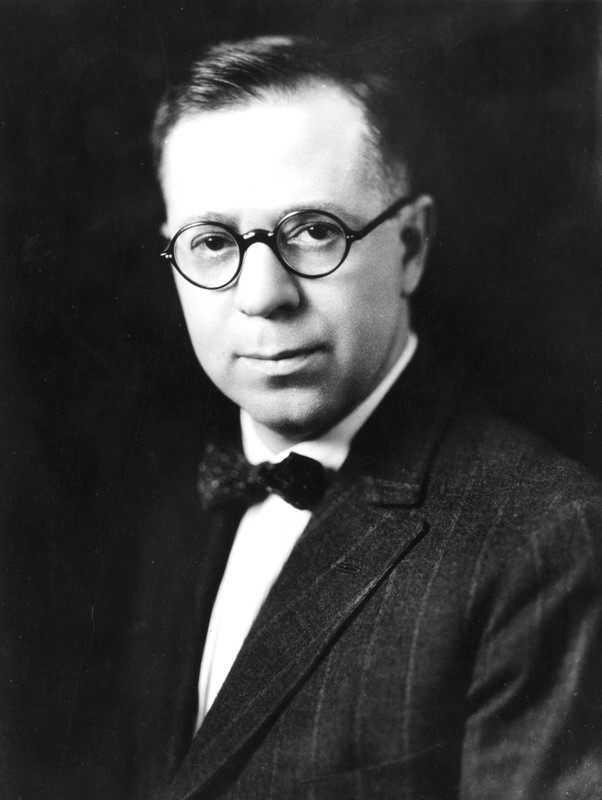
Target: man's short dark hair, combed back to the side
point(235, 73)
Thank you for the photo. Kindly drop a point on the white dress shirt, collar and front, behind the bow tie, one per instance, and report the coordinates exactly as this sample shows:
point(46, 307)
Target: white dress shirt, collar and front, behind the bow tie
point(266, 536)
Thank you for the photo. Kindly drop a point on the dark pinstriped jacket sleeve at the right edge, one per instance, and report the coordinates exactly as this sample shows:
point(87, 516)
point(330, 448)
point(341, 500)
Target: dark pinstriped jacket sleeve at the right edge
point(534, 726)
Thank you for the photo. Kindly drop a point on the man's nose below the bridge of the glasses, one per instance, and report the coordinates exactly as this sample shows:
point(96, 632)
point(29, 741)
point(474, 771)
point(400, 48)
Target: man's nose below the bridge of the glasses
point(264, 287)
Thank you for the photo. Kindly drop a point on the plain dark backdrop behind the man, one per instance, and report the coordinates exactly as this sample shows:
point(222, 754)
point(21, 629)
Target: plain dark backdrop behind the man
point(95, 363)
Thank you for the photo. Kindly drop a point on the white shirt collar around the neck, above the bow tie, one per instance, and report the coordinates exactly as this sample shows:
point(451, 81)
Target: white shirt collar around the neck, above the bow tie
point(330, 449)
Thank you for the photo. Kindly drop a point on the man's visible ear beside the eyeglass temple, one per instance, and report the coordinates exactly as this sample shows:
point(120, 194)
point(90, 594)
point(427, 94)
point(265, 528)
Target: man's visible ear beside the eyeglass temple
point(417, 232)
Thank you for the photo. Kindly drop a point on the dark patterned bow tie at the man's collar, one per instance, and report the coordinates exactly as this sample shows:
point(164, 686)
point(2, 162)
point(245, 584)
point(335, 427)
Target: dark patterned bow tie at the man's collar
point(225, 476)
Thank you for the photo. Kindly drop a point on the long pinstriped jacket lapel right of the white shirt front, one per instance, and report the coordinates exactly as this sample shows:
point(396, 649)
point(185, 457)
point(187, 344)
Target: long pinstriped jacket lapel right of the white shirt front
point(364, 525)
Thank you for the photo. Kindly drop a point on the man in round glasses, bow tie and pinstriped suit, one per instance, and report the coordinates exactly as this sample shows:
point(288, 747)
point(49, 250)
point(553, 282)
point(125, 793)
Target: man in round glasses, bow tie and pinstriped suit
point(425, 620)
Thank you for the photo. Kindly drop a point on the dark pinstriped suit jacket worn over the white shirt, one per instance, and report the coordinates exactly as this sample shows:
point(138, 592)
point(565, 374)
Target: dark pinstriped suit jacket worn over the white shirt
point(436, 633)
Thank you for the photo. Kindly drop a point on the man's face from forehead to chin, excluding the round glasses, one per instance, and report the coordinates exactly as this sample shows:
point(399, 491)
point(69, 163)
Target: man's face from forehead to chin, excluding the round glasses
point(297, 354)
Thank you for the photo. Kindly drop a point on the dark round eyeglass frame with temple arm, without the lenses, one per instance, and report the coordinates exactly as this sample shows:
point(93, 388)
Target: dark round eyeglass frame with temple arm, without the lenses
point(270, 238)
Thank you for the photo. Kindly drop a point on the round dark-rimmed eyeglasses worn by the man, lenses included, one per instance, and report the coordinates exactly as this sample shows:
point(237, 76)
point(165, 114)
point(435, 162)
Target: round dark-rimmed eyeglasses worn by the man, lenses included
point(311, 244)
